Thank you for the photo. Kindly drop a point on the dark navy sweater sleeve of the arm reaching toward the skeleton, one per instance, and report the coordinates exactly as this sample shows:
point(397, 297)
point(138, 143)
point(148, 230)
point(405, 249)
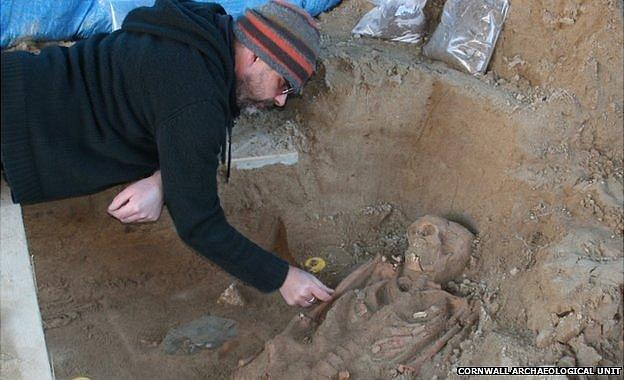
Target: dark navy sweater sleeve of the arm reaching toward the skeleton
point(187, 149)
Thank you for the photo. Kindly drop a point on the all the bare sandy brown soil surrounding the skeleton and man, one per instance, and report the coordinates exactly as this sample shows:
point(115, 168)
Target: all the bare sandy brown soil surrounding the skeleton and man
point(528, 157)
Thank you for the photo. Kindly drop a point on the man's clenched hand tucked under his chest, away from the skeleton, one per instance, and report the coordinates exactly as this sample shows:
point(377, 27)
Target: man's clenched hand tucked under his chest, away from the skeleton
point(140, 202)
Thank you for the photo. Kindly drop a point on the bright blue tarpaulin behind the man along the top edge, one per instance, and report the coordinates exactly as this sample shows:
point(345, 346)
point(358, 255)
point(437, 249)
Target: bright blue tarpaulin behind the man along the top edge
point(55, 20)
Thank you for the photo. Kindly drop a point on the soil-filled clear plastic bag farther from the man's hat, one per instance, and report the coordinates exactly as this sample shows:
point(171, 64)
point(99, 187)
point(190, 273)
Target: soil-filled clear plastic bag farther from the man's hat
point(467, 33)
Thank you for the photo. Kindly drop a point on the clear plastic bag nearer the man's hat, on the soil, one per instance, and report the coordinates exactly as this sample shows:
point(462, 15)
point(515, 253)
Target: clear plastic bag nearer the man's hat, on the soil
point(396, 20)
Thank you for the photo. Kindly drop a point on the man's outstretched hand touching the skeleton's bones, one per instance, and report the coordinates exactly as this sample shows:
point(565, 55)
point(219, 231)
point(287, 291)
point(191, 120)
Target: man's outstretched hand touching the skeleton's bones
point(303, 289)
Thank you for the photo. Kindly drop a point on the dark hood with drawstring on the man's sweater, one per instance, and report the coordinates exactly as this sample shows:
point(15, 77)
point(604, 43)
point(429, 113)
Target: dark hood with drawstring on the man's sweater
point(204, 26)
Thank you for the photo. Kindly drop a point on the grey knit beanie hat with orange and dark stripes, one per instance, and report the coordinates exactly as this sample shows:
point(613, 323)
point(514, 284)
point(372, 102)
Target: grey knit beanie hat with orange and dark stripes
point(284, 36)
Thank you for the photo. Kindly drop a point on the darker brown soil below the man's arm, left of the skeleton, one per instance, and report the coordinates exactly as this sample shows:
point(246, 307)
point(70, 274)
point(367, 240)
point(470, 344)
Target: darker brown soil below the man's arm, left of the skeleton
point(110, 293)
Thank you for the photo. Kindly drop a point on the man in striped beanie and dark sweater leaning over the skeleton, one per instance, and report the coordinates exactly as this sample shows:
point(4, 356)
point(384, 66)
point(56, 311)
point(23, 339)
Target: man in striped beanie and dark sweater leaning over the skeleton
point(161, 93)
